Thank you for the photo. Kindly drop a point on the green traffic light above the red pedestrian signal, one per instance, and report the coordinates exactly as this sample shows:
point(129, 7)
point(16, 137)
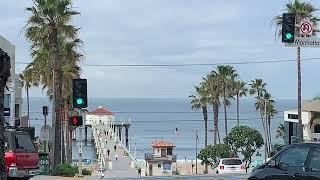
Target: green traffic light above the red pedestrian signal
point(79, 88)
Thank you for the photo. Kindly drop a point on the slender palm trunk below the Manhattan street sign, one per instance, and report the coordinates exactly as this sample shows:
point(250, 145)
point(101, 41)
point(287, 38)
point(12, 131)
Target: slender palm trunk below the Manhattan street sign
point(300, 135)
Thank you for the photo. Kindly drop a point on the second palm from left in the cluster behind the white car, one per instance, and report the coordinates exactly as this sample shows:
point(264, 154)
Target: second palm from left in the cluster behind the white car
point(213, 91)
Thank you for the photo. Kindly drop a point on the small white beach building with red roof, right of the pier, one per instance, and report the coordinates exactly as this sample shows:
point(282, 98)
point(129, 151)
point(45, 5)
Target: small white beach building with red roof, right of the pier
point(159, 163)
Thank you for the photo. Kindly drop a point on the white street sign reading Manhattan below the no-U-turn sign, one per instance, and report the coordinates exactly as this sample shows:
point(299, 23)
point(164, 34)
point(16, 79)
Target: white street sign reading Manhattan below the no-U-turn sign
point(305, 42)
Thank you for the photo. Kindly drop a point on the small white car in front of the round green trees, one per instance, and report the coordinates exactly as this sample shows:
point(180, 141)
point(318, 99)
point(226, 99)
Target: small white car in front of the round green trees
point(230, 165)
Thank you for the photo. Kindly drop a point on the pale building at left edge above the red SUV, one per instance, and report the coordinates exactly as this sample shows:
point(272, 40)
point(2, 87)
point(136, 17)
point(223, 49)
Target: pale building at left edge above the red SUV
point(13, 92)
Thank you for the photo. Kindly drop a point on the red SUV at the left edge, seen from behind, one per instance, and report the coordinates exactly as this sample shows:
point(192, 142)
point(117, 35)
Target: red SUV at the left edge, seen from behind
point(21, 156)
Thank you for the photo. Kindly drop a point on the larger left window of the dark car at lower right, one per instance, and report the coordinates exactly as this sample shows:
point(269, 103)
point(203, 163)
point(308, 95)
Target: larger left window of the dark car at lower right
point(294, 157)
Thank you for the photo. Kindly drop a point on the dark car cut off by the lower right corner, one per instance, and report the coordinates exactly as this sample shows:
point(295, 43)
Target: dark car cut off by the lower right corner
point(297, 161)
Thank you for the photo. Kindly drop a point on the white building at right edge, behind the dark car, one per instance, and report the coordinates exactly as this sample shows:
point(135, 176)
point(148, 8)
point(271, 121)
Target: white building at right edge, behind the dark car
point(311, 132)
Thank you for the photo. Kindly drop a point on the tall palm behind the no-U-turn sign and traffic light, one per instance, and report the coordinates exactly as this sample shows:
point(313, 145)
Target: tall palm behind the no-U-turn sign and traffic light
point(302, 10)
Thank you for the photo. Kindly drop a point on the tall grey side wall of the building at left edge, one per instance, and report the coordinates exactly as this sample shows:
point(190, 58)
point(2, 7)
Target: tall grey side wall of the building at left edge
point(9, 48)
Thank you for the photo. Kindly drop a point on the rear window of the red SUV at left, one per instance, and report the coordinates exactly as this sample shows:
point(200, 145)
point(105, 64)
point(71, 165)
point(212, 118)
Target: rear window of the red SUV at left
point(23, 143)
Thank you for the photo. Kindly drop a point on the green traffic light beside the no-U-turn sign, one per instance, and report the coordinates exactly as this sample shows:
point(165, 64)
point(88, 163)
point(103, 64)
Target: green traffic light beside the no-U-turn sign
point(288, 27)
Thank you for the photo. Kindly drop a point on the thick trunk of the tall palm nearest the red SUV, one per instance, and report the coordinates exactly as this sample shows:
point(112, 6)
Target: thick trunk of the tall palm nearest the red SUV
point(57, 97)
